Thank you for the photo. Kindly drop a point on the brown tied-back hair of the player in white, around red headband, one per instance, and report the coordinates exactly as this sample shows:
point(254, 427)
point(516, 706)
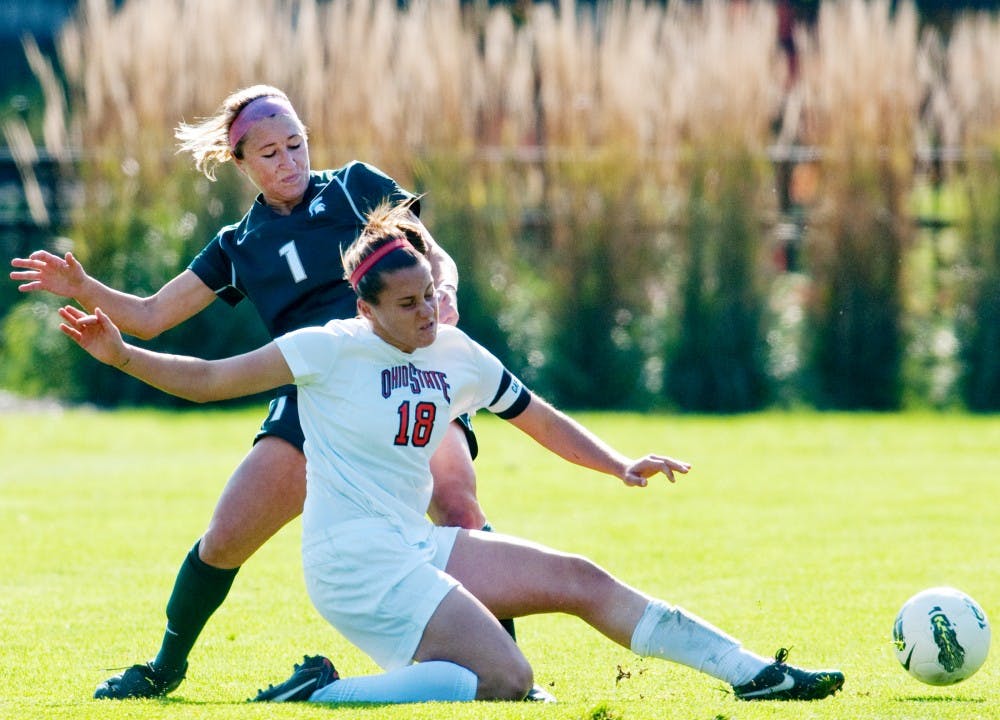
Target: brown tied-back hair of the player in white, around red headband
point(389, 221)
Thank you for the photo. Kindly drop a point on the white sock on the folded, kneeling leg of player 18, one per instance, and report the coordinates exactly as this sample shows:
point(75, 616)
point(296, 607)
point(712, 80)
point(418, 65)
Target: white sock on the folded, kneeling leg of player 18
point(422, 682)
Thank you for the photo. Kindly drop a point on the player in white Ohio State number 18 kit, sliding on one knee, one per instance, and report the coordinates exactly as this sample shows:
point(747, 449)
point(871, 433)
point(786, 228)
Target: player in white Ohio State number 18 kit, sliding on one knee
point(376, 393)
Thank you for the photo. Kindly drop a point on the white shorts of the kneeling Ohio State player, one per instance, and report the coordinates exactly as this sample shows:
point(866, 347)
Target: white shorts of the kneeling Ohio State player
point(378, 588)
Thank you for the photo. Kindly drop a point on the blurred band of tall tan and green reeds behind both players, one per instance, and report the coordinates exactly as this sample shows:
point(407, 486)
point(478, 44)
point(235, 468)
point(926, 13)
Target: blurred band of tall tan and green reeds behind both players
point(708, 206)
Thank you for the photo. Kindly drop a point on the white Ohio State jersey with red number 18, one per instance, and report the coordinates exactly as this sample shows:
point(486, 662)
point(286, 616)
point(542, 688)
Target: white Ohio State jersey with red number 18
point(373, 415)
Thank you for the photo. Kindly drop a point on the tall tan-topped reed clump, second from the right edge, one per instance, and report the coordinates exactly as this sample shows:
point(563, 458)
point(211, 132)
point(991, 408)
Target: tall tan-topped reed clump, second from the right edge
point(860, 102)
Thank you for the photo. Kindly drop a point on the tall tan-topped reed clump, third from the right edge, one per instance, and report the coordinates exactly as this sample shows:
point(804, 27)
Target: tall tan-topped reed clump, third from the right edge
point(726, 91)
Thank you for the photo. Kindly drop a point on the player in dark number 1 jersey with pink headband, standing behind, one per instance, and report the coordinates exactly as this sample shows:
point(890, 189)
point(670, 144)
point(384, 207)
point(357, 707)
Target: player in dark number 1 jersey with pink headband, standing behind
point(284, 257)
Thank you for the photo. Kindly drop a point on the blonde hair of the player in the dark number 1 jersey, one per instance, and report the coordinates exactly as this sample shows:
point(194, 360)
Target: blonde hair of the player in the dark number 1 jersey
point(208, 139)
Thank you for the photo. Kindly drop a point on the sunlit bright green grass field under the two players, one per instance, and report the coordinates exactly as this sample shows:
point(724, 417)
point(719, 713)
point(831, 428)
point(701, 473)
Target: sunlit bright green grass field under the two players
point(794, 530)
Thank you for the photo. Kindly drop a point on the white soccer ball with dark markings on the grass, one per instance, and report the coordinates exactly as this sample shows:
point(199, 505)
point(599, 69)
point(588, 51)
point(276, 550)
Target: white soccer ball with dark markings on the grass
point(941, 636)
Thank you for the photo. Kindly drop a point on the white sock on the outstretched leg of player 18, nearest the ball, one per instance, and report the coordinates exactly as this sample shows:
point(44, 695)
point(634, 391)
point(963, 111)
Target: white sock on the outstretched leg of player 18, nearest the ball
point(671, 633)
